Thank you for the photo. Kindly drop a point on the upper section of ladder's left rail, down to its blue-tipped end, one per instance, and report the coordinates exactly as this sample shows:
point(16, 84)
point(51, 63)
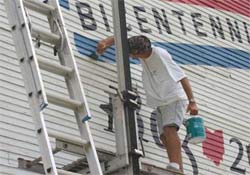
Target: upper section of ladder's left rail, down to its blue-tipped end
point(25, 53)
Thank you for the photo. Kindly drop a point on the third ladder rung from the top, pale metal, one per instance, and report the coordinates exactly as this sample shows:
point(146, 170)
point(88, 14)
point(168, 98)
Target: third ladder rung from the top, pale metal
point(54, 67)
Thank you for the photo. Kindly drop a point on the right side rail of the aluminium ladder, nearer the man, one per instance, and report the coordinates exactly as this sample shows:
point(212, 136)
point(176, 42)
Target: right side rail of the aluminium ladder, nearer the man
point(83, 113)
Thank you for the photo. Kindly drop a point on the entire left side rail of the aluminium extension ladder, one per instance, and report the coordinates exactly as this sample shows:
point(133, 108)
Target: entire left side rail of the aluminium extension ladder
point(33, 82)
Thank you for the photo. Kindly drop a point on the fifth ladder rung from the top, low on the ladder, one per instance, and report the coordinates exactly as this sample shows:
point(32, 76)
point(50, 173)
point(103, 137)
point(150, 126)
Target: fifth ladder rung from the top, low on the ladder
point(66, 138)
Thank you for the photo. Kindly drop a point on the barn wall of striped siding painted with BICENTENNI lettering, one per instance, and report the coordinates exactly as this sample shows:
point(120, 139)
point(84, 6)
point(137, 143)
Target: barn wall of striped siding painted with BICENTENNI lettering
point(209, 39)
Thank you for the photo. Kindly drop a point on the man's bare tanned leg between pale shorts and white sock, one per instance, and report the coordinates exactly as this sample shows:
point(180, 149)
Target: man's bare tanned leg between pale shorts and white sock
point(172, 144)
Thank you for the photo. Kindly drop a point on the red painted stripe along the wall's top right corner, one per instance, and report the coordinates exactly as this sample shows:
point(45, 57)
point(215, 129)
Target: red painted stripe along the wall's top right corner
point(234, 6)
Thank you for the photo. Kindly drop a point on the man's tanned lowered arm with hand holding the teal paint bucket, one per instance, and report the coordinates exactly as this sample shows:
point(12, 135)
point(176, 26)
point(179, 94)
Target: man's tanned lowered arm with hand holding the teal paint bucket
point(192, 107)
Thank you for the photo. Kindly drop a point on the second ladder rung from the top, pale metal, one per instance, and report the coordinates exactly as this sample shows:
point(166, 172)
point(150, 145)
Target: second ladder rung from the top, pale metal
point(45, 35)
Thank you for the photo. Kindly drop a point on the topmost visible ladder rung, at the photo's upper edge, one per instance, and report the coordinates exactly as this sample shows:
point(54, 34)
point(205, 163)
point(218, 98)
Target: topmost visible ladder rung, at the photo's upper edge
point(39, 7)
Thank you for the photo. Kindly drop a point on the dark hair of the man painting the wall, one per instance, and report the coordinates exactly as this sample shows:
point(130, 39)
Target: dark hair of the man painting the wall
point(139, 44)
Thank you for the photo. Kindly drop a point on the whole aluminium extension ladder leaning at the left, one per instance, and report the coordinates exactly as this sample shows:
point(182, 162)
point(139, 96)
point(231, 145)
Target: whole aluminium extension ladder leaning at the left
point(22, 31)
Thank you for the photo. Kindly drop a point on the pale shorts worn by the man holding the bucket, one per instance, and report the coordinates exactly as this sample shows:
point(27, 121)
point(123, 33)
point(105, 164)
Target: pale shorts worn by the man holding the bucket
point(171, 115)
